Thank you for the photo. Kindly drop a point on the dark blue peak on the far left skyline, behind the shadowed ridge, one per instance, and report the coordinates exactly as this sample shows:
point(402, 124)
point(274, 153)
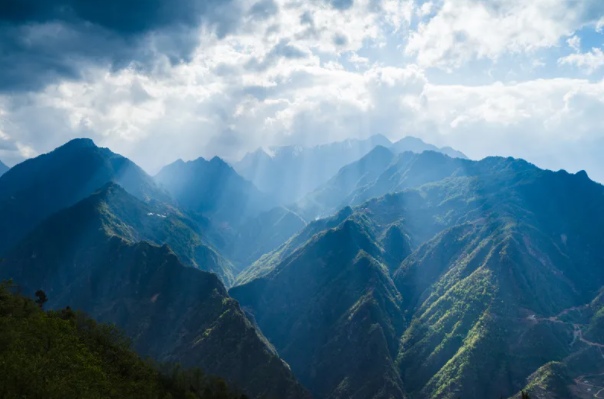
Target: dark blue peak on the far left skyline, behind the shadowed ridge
point(36, 188)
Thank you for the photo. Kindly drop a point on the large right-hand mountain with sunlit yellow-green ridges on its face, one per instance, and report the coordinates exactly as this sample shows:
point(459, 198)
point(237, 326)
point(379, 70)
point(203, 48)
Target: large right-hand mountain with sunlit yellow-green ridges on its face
point(485, 297)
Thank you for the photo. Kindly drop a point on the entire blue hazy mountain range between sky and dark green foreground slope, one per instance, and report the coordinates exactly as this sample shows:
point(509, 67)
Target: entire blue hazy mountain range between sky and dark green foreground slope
point(406, 273)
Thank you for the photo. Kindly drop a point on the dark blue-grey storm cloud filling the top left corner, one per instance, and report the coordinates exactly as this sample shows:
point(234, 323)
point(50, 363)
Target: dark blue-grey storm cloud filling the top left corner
point(45, 40)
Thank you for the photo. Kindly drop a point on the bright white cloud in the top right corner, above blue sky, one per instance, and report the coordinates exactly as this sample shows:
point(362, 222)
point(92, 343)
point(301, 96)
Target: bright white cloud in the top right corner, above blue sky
point(464, 30)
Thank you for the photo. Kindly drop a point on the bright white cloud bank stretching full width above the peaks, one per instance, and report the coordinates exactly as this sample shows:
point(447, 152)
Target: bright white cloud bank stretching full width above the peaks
point(281, 79)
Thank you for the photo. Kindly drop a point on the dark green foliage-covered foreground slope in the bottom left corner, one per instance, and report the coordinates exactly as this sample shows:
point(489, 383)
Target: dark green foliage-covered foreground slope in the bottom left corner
point(64, 354)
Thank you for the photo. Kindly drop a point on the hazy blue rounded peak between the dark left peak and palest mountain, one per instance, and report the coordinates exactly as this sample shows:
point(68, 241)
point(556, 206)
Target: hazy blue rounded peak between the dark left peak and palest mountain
point(214, 189)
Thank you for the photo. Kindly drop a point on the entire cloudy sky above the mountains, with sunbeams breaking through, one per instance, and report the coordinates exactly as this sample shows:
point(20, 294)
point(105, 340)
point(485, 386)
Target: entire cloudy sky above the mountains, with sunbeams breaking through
point(160, 80)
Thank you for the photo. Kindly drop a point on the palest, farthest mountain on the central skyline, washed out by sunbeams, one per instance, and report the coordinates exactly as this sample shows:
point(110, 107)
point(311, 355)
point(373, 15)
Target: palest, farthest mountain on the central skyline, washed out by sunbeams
point(288, 173)
